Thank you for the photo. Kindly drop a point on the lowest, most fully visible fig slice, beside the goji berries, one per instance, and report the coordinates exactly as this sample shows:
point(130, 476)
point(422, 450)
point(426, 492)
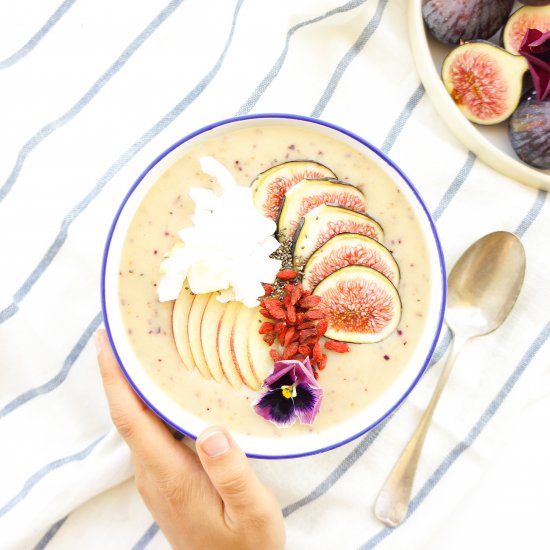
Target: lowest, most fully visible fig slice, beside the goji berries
point(362, 305)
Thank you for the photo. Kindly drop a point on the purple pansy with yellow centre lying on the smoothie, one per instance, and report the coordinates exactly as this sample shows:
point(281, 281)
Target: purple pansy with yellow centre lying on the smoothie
point(289, 393)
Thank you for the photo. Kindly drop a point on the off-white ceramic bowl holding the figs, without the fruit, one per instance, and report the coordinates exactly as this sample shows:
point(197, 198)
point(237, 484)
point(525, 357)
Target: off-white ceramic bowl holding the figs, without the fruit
point(489, 143)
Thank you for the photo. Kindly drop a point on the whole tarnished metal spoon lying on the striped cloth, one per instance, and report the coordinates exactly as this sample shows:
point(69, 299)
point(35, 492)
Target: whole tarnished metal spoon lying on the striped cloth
point(482, 289)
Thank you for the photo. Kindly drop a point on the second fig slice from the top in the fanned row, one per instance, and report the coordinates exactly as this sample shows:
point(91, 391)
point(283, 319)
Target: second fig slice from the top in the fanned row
point(308, 194)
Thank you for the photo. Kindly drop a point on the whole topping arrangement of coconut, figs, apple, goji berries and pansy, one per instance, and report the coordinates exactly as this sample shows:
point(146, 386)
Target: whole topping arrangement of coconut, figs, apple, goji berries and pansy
point(326, 279)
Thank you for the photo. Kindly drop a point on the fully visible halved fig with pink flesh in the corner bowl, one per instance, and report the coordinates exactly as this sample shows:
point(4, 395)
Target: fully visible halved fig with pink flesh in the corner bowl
point(485, 81)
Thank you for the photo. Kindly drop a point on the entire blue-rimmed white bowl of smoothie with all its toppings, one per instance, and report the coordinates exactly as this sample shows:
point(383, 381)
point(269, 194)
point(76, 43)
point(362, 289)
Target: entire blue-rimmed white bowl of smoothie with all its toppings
point(276, 275)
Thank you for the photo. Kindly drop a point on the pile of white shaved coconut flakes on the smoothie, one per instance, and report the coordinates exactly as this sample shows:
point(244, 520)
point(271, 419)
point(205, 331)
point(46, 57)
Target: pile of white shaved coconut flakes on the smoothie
point(228, 247)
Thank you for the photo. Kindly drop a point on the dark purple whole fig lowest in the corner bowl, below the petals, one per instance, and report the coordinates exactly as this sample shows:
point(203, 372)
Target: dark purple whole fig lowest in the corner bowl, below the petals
point(529, 128)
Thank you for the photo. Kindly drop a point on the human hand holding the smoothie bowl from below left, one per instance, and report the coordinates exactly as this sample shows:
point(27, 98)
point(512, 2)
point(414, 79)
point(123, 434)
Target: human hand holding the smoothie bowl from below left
point(211, 499)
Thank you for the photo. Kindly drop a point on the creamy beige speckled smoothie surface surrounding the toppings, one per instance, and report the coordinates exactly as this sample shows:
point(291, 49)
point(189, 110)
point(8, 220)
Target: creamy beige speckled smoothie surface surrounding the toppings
point(351, 381)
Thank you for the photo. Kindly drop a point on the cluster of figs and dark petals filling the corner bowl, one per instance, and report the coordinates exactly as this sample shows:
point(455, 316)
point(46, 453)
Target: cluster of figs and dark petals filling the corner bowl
point(491, 76)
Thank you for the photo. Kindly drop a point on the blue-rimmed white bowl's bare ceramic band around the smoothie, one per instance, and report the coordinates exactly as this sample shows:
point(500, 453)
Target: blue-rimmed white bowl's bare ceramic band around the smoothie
point(263, 447)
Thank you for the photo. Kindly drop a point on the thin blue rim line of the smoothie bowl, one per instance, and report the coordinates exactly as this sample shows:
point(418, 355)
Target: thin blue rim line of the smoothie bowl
point(303, 119)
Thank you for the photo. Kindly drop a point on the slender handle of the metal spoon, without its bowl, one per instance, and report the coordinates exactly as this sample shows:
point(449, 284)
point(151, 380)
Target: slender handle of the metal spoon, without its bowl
point(392, 502)
